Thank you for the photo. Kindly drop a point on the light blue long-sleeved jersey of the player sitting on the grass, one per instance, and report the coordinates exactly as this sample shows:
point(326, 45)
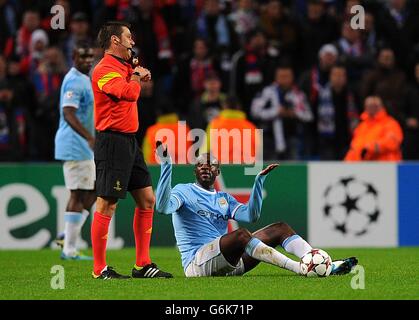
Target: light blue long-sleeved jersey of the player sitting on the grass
point(198, 215)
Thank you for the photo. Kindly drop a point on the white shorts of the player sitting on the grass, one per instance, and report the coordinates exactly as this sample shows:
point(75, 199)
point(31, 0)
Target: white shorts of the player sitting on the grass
point(209, 261)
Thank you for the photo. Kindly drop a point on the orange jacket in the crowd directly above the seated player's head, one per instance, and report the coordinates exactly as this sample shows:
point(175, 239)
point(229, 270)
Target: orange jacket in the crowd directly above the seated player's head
point(234, 122)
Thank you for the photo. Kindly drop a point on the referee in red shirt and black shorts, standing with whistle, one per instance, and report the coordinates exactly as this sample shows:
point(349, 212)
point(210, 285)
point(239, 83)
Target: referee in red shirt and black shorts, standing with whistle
point(120, 165)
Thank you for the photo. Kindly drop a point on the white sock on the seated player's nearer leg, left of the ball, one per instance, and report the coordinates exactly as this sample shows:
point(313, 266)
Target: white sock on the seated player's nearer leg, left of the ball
point(260, 251)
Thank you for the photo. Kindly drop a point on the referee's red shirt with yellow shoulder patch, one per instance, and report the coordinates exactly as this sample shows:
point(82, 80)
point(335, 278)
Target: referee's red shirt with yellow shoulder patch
point(115, 96)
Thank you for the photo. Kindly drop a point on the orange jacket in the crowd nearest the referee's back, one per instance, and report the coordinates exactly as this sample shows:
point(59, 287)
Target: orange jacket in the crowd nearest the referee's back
point(164, 123)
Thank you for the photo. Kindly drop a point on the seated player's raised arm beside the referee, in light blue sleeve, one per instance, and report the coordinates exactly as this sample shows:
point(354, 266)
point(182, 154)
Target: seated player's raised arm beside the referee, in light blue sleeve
point(166, 202)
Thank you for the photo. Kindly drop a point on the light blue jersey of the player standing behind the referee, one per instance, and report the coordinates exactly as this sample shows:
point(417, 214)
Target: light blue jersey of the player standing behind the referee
point(76, 91)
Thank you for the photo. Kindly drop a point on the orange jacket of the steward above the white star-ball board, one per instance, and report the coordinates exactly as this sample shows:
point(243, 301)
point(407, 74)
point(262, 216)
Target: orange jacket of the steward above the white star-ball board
point(376, 138)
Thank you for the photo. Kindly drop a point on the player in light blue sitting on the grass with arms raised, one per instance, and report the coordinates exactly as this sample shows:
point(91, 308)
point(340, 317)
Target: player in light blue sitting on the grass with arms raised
point(200, 215)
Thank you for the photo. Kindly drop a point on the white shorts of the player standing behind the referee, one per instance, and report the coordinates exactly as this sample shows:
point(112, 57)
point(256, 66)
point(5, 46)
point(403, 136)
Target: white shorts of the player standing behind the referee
point(79, 174)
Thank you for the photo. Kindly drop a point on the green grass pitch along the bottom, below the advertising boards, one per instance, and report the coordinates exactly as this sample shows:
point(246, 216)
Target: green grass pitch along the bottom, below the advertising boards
point(389, 274)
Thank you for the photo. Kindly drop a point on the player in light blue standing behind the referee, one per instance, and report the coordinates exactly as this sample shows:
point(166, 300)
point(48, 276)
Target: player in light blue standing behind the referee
point(74, 143)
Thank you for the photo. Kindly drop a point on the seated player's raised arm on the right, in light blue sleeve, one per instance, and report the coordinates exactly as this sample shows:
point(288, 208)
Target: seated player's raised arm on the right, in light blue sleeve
point(251, 211)
